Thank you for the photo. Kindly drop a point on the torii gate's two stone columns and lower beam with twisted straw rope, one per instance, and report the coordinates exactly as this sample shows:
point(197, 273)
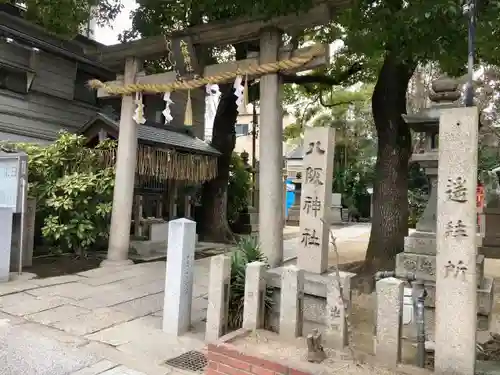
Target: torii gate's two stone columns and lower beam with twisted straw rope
point(266, 65)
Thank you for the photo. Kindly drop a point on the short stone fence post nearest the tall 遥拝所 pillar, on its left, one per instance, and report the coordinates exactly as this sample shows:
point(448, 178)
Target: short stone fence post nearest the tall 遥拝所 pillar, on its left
point(389, 320)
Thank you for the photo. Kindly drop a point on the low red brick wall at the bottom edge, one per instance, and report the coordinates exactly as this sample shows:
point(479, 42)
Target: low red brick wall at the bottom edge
point(227, 359)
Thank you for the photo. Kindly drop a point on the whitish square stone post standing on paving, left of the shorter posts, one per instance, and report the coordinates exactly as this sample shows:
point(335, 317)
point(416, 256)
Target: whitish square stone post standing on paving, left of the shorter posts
point(179, 277)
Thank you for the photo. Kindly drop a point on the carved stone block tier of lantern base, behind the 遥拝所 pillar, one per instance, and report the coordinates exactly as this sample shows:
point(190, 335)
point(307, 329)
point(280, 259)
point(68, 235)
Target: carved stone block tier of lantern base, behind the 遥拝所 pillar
point(424, 266)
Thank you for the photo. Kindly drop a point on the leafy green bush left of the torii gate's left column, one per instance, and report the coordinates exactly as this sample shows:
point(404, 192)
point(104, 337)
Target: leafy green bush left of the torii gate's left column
point(73, 193)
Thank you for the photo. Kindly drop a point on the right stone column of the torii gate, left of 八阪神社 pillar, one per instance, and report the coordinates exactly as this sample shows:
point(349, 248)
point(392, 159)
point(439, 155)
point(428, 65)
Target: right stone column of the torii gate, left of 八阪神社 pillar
point(271, 152)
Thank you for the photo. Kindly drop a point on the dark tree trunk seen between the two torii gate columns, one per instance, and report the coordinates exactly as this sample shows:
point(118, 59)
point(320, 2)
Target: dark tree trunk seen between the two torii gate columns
point(214, 224)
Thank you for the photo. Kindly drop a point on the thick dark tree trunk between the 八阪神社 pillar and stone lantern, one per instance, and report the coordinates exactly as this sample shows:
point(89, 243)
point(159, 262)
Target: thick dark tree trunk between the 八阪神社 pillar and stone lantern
point(390, 193)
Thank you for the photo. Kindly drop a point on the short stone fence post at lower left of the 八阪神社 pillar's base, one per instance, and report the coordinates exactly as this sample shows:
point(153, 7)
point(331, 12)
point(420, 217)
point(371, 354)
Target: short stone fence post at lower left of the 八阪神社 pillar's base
point(292, 301)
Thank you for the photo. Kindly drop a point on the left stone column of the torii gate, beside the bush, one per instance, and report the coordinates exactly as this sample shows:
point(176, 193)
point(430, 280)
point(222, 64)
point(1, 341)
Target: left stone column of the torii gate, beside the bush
point(121, 216)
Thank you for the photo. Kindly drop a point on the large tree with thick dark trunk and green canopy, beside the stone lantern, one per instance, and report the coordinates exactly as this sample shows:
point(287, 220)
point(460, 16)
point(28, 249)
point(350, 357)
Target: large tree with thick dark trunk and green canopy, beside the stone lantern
point(393, 37)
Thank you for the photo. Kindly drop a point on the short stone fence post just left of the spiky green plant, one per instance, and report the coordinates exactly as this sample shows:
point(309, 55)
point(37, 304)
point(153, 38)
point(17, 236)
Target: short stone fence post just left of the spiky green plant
point(218, 297)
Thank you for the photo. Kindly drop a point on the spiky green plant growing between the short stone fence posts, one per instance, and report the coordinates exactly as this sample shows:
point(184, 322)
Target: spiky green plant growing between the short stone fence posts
point(247, 251)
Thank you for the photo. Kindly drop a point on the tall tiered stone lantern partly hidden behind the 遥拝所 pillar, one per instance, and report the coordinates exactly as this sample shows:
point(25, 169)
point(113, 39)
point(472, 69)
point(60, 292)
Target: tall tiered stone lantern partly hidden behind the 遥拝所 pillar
point(419, 255)
